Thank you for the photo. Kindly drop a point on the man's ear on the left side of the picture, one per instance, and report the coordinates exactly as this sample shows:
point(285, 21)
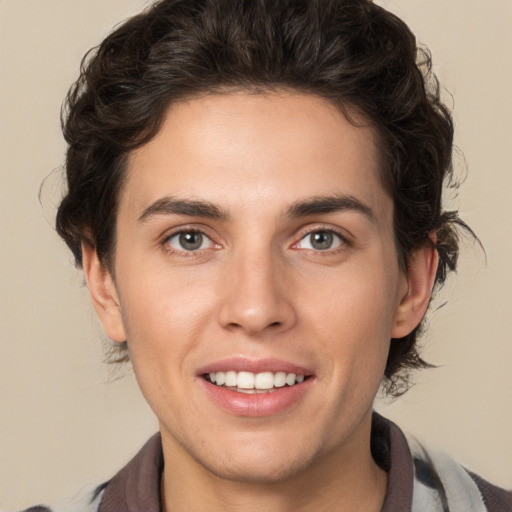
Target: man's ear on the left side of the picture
point(103, 294)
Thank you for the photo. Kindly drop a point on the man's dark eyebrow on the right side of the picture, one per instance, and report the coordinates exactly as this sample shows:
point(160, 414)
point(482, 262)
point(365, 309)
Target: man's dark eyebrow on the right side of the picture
point(323, 205)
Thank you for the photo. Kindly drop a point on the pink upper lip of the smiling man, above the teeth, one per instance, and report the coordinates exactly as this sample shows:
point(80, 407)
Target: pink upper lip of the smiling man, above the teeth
point(242, 364)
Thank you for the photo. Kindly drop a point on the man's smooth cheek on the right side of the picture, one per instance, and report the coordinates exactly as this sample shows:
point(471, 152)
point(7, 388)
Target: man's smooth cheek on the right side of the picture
point(354, 321)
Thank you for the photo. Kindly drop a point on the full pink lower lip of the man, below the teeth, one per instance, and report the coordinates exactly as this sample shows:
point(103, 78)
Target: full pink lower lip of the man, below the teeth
point(258, 404)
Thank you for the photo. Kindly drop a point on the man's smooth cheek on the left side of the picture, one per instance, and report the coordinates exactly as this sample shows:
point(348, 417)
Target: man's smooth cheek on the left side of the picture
point(164, 320)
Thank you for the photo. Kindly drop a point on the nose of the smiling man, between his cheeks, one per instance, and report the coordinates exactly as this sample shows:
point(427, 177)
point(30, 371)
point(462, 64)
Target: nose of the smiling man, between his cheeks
point(256, 295)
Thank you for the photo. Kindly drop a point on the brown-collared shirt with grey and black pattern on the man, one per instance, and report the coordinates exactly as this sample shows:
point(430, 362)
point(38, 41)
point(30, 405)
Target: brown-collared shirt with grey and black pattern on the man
point(418, 480)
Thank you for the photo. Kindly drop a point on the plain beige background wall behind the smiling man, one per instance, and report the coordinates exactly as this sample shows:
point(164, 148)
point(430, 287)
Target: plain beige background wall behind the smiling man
point(66, 422)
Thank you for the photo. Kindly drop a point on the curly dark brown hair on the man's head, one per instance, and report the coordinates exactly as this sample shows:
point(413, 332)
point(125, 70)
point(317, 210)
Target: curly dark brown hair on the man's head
point(351, 52)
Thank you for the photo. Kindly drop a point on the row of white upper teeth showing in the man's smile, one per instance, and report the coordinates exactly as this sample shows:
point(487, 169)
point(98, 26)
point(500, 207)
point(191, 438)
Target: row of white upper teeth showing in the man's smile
point(247, 381)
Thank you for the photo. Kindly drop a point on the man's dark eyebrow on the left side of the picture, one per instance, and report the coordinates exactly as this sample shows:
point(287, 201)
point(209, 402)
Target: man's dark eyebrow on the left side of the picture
point(192, 208)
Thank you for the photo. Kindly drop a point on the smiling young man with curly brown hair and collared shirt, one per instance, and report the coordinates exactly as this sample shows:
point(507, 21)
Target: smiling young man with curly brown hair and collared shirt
point(255, 199)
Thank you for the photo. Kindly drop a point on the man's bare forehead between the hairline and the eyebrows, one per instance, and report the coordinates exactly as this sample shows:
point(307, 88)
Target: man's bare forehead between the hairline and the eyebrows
point(239, 147)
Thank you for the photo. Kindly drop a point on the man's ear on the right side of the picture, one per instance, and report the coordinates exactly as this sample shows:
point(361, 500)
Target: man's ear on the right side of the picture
point(421, 273)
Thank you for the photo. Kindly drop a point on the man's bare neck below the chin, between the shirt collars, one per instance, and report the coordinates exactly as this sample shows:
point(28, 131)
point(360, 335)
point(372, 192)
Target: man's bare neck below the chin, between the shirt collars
point(347, 479)
